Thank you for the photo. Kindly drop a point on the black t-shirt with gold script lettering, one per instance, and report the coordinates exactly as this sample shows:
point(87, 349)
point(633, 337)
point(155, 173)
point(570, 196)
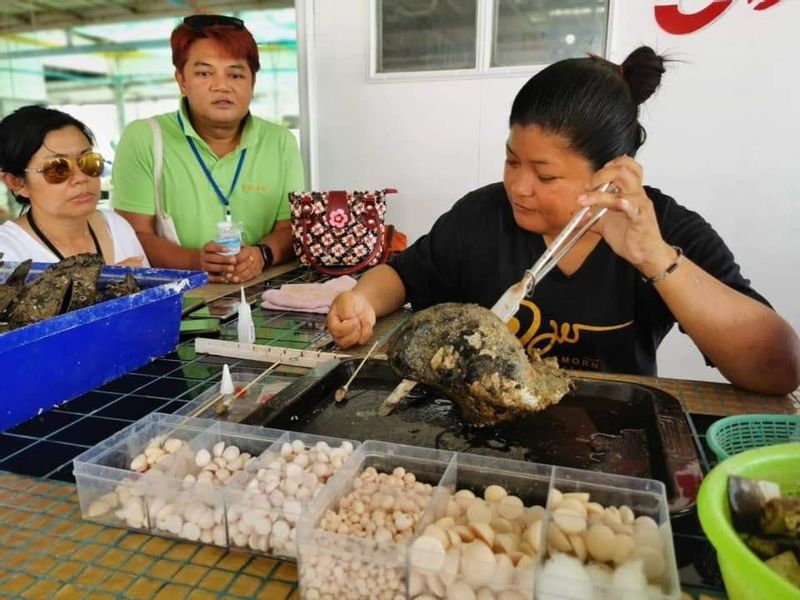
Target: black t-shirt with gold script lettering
point(603, 317)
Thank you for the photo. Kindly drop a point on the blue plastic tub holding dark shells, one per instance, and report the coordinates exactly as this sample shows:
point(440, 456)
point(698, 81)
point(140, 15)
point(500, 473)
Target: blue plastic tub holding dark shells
point(50, 362)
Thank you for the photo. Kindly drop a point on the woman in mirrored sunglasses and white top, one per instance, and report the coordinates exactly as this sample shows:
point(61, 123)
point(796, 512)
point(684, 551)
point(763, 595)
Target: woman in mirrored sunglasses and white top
point(48, 163)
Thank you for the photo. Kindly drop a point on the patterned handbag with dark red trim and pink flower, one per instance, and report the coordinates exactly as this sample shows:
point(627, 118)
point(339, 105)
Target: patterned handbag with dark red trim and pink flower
point(339, 233)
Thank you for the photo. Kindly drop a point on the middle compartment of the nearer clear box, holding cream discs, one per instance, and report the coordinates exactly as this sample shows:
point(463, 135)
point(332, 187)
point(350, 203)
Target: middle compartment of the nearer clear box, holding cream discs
point(475, 539)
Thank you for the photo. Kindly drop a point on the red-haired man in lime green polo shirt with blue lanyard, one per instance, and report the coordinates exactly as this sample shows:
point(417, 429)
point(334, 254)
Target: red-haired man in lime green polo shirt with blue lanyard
point(220, 163)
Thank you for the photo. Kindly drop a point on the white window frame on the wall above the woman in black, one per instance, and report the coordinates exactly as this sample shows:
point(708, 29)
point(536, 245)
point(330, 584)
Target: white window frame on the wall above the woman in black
point(485, 27)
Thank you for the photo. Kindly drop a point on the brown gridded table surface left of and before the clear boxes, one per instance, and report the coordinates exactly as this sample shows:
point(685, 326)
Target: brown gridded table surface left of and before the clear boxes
point(47, 551)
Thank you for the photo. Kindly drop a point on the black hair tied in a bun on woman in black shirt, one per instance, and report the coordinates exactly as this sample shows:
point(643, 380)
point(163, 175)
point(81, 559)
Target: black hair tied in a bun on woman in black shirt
point(593, 102)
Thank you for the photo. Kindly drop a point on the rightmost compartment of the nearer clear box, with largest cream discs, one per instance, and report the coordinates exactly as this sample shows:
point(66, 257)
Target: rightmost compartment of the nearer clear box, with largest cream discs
point(639, 559)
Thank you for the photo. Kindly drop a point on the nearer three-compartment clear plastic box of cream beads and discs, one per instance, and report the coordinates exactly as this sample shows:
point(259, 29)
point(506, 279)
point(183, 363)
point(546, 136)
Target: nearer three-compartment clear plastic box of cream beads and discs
point(489, 531)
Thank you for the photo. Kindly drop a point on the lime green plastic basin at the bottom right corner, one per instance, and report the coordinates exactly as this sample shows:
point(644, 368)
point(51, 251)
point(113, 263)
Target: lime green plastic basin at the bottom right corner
point(746, 576)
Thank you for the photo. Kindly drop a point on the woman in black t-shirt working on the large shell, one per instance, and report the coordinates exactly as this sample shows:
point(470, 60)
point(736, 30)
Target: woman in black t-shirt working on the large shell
point(647, 264)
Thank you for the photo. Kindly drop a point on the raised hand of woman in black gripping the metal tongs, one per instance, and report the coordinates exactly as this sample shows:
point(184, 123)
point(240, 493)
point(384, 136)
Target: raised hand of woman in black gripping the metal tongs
point(630, 227)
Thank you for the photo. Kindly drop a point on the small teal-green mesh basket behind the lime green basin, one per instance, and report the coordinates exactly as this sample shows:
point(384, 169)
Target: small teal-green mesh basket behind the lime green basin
point(732, 435)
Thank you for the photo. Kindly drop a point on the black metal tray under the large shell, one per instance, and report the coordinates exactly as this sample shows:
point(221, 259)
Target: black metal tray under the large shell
point(607, 426)
